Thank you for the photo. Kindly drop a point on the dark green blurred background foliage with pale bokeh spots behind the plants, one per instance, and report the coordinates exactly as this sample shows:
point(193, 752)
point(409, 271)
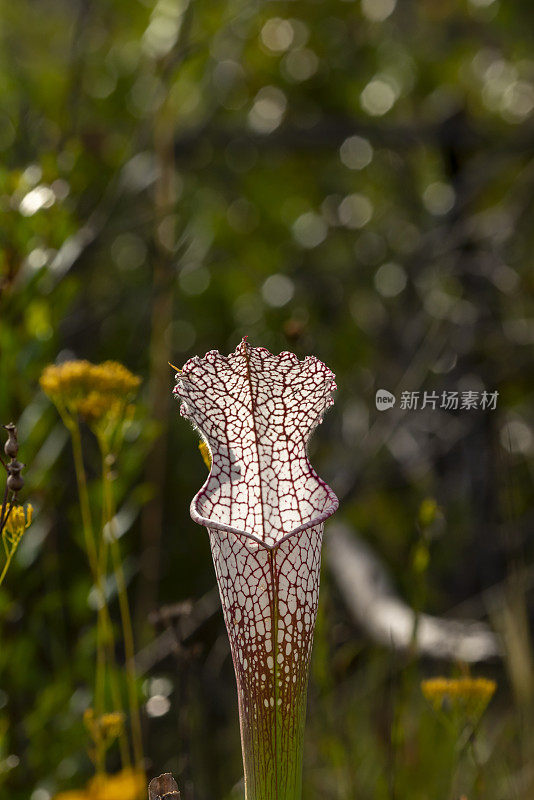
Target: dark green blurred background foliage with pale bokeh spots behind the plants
point(352, 180)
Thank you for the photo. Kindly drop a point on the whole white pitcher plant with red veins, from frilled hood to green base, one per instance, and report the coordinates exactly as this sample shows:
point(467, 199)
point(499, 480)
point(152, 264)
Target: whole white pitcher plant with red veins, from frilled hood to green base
point(264, 508)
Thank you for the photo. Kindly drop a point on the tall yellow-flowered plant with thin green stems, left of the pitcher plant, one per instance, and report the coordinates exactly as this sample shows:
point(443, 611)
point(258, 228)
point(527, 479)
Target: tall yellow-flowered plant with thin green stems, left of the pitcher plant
point(100, 395)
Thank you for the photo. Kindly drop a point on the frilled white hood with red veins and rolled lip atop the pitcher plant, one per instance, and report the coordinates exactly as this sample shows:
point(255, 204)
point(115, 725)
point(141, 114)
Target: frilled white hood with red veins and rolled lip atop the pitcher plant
point(256, 412)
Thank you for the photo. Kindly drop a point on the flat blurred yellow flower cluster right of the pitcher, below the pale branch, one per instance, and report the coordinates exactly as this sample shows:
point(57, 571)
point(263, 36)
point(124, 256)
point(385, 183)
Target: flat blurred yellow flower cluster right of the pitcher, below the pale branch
point(470, 695)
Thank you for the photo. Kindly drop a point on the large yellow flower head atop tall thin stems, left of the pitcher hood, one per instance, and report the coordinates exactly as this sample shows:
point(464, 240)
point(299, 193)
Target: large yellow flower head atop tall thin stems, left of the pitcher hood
point(95, 392)
